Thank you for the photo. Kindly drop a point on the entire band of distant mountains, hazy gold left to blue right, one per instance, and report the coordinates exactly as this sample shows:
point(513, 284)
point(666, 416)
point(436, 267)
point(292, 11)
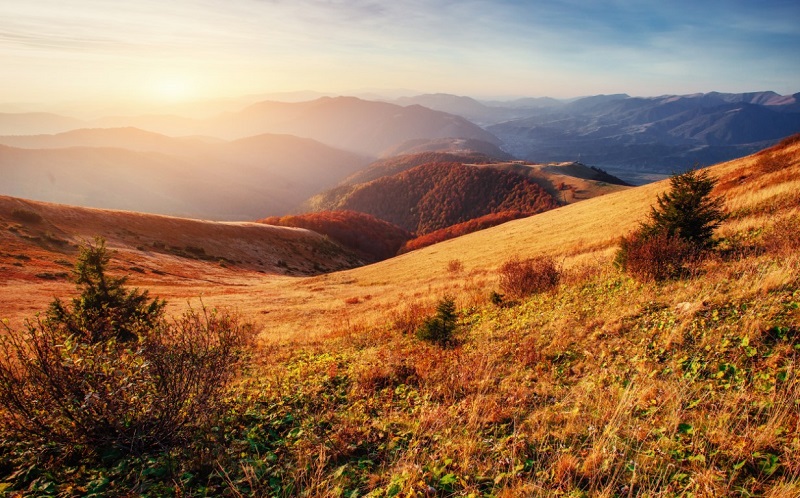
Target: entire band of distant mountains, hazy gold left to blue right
point(267, 158)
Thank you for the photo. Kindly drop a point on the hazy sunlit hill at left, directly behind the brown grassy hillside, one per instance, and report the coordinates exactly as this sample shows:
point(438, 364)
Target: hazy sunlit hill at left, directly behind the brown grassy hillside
point(138, 170)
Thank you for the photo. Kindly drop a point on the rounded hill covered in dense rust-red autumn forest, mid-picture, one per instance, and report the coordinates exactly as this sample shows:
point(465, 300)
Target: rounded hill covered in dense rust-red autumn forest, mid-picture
point(437, 195)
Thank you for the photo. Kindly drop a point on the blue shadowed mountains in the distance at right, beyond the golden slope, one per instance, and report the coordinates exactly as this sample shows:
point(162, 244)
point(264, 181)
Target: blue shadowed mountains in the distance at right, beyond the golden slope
point(628, 135)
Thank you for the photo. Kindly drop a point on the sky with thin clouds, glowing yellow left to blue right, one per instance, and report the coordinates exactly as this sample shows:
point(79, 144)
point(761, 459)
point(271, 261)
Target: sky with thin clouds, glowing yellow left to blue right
point(169, 51)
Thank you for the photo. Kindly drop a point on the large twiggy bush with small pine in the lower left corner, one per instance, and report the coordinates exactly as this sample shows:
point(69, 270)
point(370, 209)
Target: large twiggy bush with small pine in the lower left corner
point(69, 387)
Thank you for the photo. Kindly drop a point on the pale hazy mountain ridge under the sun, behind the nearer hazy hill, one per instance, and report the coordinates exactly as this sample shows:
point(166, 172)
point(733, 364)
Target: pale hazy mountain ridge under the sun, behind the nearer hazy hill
point(348, 123)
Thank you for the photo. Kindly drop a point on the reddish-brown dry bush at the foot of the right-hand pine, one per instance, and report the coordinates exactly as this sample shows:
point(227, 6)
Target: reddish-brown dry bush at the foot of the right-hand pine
point(656, 257)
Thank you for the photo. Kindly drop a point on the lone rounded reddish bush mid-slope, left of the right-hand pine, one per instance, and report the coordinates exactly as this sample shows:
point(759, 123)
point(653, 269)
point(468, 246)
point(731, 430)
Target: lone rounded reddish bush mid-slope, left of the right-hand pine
point(521, 278)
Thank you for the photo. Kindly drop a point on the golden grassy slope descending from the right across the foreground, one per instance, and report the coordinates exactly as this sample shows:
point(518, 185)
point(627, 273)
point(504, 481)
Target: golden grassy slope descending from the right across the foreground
point(605, 387)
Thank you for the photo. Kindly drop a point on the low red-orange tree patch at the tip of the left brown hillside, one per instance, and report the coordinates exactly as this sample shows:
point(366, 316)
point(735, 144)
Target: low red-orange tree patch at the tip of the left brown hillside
point(372, 238)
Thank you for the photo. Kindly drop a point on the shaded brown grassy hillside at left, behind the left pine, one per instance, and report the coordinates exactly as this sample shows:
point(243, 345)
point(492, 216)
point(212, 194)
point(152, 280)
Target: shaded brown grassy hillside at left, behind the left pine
point(39, 240)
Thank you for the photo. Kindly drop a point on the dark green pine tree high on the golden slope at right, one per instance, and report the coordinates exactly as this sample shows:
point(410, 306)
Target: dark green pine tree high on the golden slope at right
point(687, 210)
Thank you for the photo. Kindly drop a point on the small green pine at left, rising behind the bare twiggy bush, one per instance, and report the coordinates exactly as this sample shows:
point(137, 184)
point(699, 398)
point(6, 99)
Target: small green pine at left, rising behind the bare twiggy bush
point(105, 309)
